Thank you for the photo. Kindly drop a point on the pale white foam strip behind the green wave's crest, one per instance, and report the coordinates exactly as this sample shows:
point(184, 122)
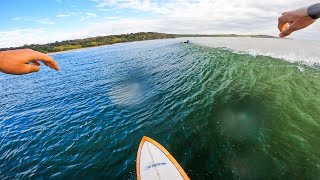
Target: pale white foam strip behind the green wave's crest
point(296, 51)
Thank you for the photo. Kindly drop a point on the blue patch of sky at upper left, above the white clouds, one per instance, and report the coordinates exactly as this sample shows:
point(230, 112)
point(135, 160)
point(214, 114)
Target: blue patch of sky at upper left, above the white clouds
point(56, 14)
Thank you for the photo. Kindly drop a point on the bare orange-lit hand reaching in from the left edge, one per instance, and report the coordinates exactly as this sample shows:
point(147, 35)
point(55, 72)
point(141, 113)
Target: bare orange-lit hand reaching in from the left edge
point(24, 61)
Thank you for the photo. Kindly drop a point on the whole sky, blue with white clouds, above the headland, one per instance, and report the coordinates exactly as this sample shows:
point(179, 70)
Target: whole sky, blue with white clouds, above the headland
point(42, 21)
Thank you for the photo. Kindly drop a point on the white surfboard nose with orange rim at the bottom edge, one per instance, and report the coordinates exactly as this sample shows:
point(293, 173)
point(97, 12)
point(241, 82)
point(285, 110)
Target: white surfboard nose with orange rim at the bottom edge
point(154, 162)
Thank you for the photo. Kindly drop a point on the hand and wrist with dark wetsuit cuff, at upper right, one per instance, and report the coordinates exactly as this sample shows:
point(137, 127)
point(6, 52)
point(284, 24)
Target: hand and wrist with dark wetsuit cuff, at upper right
point(298, 19)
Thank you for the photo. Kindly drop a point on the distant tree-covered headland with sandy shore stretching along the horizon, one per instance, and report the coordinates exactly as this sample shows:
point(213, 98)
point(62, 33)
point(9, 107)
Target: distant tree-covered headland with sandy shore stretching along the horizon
point(113, 39)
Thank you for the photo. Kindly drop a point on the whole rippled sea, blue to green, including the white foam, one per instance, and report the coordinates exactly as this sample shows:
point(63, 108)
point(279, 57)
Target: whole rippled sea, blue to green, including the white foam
point(224, 112)
